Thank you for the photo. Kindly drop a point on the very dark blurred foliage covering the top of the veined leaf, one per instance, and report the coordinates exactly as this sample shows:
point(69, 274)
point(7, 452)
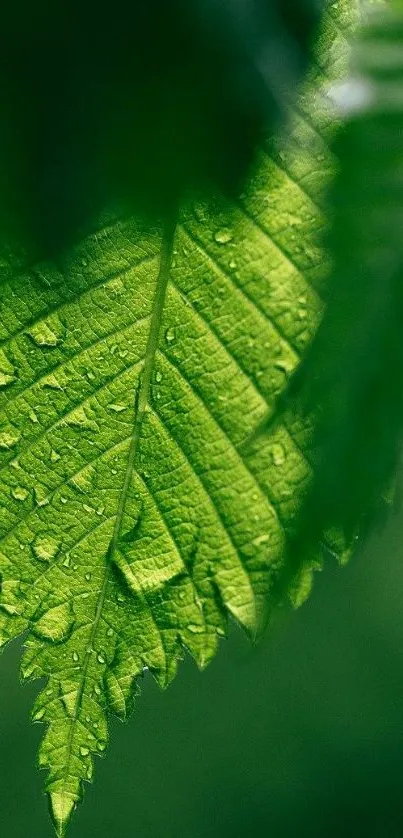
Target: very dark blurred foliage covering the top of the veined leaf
point(136, 104)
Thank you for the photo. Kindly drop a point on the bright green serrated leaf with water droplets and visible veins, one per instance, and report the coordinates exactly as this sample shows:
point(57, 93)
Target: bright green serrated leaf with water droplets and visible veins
point(134, 370)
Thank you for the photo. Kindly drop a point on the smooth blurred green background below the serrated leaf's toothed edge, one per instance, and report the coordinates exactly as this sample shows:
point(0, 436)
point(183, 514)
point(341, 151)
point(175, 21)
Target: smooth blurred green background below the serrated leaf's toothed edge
point(302, 735)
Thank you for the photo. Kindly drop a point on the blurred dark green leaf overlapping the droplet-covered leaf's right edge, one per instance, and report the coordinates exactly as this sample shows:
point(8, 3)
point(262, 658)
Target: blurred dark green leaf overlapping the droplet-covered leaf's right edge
point(354, 368)
